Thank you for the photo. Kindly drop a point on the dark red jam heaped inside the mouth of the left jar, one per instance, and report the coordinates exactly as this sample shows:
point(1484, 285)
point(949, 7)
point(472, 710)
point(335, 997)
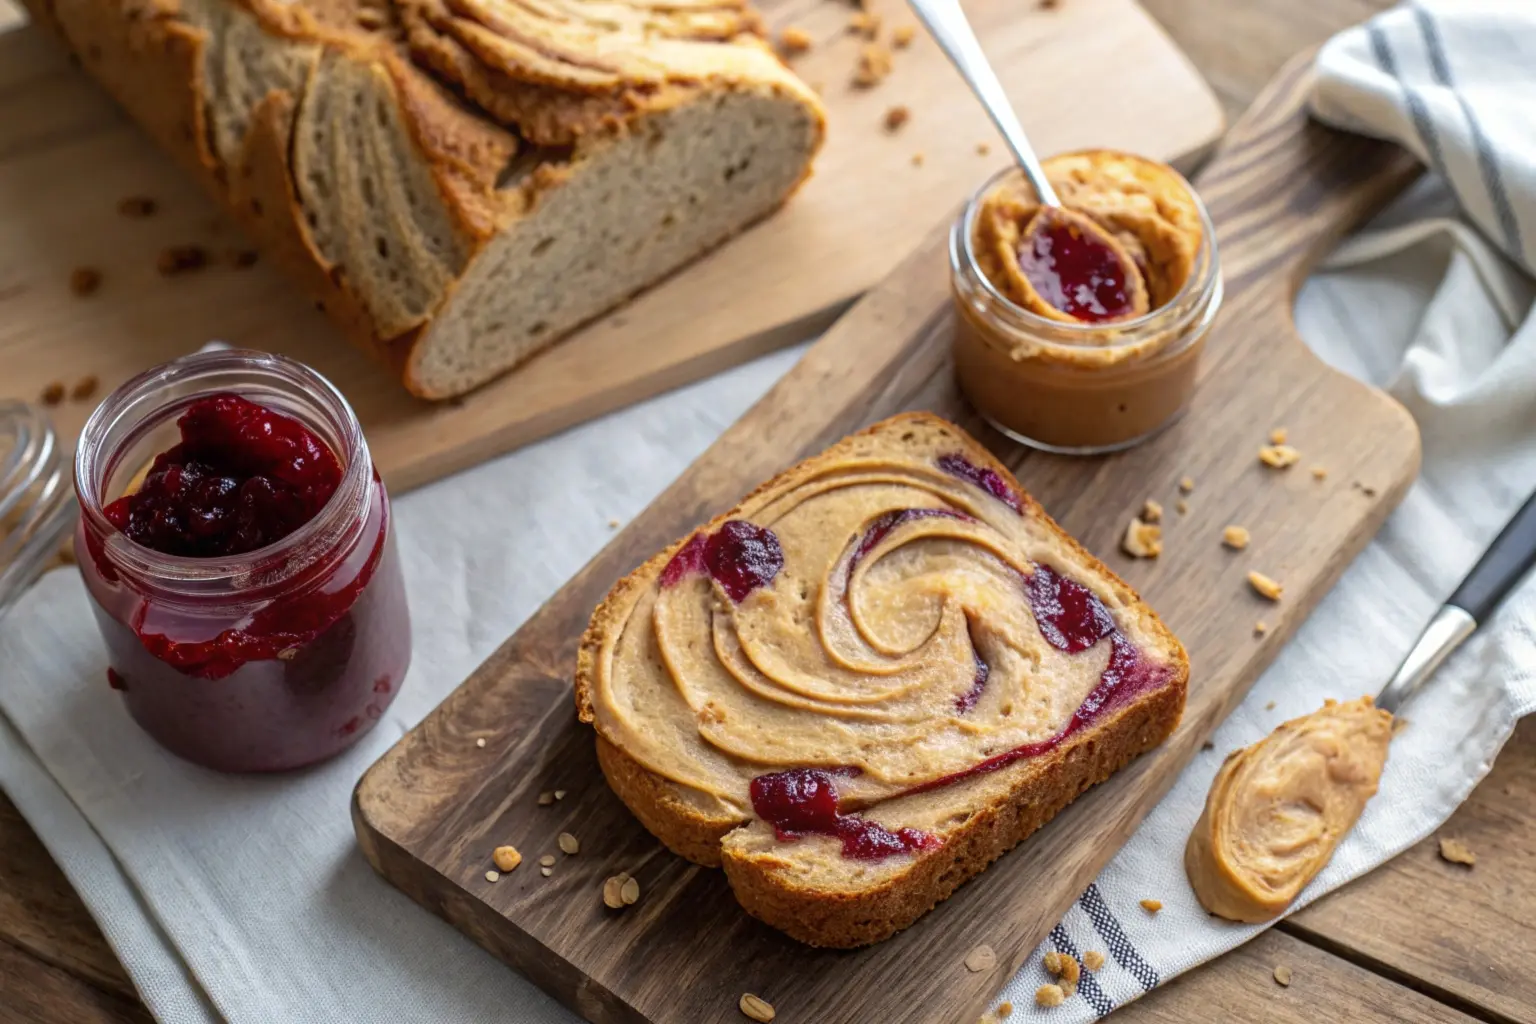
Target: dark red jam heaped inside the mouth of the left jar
point(242, 478)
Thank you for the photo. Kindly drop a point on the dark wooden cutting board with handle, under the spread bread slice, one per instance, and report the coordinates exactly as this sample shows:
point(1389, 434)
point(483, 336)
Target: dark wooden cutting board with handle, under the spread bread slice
point(431, 811)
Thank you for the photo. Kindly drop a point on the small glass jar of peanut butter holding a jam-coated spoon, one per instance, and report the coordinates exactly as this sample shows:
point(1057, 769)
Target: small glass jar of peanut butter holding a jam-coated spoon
point(1084, 382)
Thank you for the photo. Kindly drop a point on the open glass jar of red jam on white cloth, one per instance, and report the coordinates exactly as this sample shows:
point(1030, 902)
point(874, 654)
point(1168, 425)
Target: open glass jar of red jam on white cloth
point(237, 544)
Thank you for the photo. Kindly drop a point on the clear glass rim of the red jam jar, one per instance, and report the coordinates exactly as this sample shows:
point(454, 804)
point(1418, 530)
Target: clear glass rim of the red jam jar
point(142, 405)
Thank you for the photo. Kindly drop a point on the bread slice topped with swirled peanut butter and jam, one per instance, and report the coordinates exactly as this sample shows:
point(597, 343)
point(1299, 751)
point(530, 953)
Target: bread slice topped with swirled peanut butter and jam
point(869, 681)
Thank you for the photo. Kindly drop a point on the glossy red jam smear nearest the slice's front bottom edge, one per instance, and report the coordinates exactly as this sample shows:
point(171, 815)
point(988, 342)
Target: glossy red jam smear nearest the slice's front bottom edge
point(804, 802)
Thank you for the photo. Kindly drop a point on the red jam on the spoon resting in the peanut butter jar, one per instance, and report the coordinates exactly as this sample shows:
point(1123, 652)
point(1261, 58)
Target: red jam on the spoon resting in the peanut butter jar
point(1074, 271)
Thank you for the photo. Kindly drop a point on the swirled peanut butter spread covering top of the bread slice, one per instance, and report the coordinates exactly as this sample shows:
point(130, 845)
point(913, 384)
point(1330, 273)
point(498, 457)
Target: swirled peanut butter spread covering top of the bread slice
point(882, 627)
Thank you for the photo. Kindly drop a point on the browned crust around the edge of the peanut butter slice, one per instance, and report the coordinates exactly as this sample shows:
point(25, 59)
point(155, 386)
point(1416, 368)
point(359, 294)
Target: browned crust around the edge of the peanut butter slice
point(1039, 788)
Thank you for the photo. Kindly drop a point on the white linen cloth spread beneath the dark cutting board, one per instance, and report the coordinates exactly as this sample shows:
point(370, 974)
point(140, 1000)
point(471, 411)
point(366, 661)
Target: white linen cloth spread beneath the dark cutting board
point(245, 899)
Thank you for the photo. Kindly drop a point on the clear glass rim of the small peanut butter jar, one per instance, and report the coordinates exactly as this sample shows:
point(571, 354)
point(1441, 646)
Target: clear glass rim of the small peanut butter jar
point(1193, 297)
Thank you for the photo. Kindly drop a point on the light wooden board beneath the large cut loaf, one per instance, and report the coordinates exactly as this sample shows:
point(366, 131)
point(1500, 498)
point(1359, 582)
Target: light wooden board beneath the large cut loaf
point(1088, 73)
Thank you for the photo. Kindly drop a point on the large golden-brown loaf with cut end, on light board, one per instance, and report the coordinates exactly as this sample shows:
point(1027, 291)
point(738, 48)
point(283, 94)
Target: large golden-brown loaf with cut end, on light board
point(463, 182)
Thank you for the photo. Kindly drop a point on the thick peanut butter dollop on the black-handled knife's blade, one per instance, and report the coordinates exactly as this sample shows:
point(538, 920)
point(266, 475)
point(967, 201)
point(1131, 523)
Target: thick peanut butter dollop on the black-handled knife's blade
point(1277, 810)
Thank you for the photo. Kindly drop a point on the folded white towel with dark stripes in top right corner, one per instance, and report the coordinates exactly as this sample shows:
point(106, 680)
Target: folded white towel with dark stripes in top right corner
point(1455, 84)
